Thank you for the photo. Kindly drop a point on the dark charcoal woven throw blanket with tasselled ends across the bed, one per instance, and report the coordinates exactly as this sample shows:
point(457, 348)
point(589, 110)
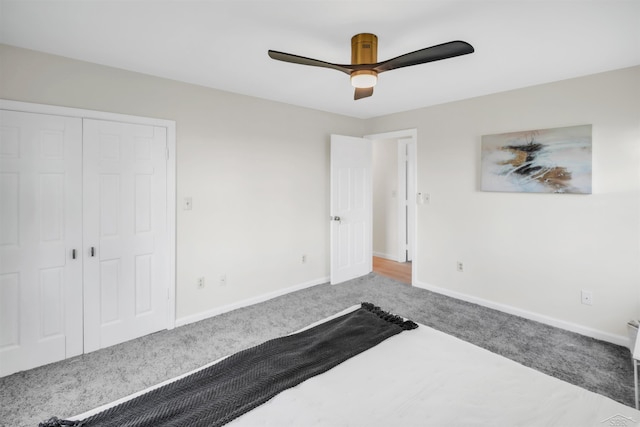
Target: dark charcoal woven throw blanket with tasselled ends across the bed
point(222, 392)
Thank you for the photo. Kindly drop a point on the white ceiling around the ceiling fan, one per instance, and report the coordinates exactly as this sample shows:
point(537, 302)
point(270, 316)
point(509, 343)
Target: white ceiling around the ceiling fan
point(223, 43)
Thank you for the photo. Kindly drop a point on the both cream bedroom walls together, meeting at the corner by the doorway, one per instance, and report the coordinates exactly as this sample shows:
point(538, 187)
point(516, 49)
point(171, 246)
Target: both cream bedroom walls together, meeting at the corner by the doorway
point(258, 173)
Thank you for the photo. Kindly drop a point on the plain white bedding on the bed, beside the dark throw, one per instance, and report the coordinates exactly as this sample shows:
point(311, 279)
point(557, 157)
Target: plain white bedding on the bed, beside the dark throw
point(424, 377)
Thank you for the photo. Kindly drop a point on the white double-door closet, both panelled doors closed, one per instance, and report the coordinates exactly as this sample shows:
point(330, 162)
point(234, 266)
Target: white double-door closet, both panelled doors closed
point(86, 234)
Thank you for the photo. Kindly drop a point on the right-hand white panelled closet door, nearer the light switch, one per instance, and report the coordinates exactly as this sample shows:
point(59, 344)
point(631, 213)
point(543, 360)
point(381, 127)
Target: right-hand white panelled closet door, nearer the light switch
point(126, 244)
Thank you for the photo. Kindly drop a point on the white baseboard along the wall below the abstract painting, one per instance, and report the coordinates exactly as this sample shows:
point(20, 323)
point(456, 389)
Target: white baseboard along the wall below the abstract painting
point(573, 327)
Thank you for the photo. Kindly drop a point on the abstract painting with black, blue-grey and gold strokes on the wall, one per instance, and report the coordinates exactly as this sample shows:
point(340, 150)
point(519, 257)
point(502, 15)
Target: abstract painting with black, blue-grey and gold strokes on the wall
point(554, 160)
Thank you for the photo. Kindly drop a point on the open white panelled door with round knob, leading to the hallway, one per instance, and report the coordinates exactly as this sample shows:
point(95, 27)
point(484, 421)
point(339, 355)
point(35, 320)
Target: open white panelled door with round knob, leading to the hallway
point(351, 208)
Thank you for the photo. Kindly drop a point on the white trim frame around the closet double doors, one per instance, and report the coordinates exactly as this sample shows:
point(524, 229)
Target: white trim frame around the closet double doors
point(170, 125)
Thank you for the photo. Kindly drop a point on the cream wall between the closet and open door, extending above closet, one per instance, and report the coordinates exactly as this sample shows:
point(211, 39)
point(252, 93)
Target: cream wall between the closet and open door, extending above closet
point(258, 173)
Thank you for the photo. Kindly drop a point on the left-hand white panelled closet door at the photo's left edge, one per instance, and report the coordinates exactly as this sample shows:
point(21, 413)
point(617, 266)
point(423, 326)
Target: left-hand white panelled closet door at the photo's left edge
point(40, 240)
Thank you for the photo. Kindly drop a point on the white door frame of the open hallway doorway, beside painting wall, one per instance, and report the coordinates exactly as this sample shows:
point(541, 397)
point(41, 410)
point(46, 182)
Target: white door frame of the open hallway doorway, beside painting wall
point(410, 136)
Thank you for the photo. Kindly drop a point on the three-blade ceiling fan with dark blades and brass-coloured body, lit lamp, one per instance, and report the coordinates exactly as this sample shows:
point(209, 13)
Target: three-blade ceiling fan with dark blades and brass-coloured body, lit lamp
point(364, 68)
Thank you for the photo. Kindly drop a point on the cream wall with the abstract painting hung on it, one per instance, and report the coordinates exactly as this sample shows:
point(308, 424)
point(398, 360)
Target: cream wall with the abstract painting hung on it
point(533, 253)
